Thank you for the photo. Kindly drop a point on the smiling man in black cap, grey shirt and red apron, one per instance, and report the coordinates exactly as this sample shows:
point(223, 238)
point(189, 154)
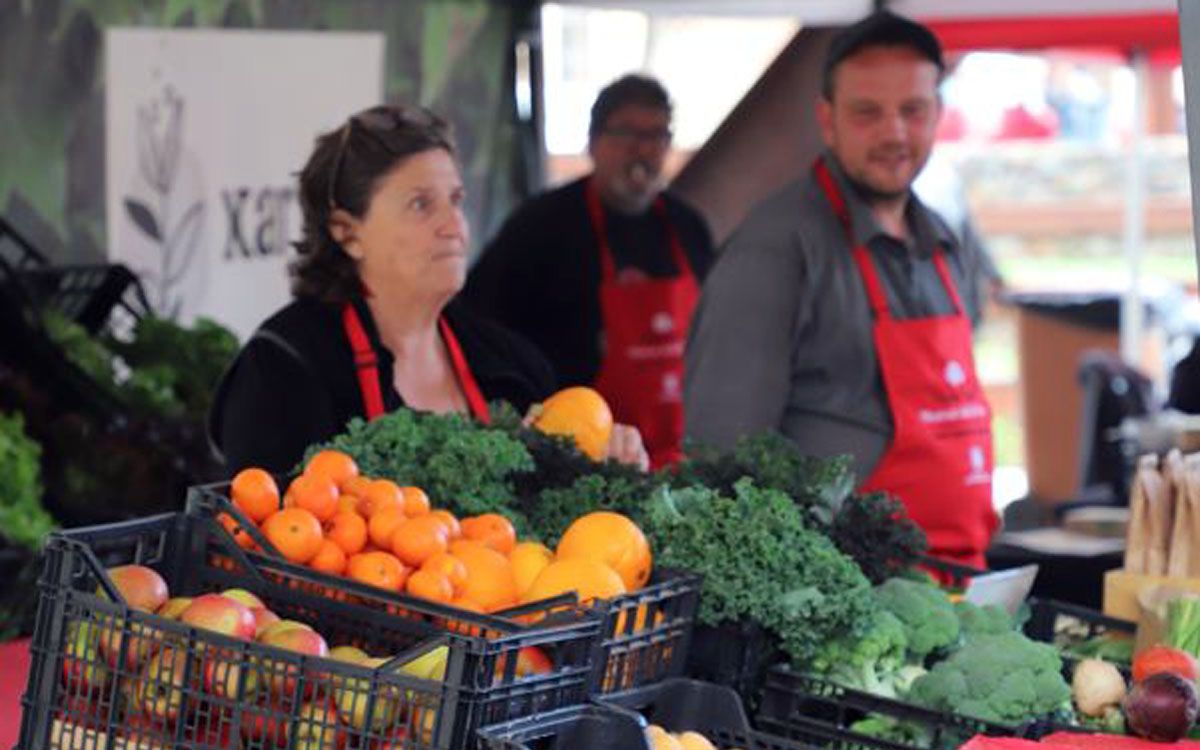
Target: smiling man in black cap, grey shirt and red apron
point(841, 311)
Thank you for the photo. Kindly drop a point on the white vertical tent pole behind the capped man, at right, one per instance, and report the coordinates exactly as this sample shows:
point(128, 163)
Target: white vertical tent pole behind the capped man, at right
point(1132, 311)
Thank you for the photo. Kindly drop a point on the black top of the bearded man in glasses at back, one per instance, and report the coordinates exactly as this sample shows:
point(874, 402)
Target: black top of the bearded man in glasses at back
point(541, 275)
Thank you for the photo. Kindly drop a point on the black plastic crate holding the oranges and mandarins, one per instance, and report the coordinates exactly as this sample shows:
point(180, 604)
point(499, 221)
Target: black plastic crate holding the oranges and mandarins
point(646, 633)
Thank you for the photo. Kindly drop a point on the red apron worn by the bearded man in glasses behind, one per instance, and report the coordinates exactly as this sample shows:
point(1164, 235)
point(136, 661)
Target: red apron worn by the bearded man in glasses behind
point(646, 328)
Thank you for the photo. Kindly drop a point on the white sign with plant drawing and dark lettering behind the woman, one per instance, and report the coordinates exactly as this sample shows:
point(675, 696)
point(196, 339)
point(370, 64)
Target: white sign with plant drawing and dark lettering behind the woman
point(206, 134)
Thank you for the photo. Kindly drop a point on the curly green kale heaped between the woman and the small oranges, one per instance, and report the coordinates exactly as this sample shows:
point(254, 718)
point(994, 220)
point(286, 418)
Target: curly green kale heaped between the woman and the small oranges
point(464, 466)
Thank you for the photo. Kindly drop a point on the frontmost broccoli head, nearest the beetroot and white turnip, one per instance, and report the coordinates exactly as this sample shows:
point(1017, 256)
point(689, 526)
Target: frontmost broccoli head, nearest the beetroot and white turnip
point(1003, 679)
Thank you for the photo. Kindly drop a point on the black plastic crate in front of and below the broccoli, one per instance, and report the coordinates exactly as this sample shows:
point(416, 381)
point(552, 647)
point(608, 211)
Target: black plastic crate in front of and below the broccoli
point(817, 711)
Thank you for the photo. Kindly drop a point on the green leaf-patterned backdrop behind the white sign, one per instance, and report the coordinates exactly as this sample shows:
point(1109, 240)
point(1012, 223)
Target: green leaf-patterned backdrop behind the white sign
point(453, 56)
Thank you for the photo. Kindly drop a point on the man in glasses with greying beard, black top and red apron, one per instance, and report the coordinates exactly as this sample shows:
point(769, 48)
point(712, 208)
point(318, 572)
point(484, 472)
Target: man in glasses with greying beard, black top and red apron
point(603, 274)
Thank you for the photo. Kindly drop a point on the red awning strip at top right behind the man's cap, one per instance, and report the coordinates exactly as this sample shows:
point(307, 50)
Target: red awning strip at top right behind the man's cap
point(1157, 34)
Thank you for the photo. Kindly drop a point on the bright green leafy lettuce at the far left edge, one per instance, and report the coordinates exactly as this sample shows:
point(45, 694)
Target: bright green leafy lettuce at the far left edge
point(23, 521)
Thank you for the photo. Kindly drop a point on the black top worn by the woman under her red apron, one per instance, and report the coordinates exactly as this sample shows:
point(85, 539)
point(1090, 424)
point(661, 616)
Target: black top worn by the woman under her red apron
point(295, 383)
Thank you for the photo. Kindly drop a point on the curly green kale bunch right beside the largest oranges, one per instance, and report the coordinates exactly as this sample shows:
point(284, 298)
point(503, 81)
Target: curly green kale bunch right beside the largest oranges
point(760, 562)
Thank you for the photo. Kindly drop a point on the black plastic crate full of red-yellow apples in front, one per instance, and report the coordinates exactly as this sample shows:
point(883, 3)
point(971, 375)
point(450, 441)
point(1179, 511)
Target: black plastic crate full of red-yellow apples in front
point(106, 673)
